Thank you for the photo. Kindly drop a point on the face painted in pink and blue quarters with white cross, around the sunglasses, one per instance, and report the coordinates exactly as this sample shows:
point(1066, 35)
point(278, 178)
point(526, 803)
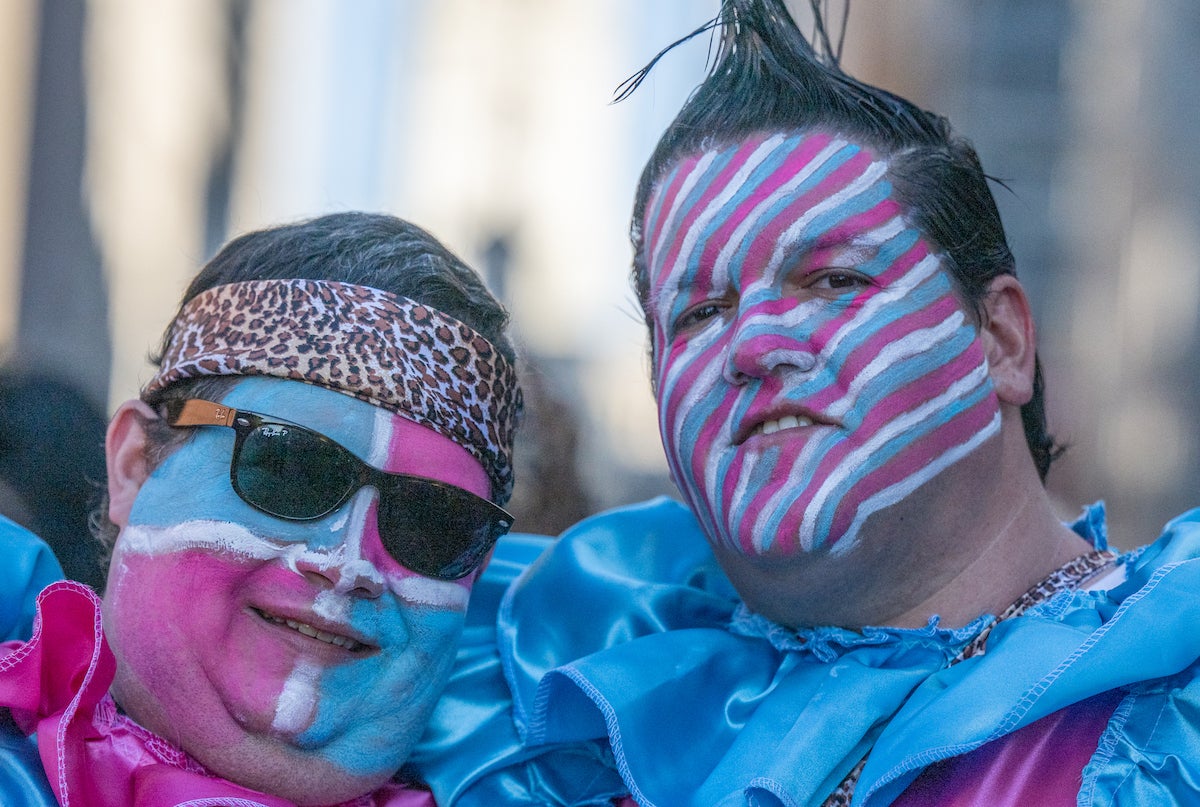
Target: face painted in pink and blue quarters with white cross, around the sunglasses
point(242, 636)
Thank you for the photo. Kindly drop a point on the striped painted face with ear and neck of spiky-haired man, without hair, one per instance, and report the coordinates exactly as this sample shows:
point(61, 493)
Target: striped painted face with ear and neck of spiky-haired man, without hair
point(825, 391)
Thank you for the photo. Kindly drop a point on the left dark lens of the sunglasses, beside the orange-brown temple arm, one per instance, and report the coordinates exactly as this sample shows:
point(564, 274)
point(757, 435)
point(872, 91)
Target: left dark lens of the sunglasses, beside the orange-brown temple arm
point(292, 473)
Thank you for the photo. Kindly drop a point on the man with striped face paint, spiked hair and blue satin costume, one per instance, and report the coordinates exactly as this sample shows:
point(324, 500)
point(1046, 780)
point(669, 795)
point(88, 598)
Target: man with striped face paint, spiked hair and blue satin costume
point(866, 597)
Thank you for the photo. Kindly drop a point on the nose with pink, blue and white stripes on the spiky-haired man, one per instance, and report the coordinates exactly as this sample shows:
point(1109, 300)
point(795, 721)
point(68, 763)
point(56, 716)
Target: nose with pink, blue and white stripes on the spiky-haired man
point(764, 345)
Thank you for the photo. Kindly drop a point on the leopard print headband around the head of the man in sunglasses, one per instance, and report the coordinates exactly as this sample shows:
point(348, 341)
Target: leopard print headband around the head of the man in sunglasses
point(376, 346)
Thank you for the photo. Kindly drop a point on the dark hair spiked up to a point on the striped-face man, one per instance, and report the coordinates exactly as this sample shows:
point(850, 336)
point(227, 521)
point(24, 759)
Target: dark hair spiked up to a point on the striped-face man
point(769, 77)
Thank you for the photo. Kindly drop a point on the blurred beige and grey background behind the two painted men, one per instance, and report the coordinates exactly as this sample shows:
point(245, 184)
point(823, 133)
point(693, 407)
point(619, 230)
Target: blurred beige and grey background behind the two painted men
point(140, 136)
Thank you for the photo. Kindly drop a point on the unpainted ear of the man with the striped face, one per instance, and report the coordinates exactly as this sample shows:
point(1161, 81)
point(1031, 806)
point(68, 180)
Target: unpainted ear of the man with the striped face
point(1010, 340)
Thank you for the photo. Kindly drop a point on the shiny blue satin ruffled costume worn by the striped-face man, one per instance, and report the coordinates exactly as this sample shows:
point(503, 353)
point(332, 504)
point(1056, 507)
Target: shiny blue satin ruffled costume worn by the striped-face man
point(623, 663)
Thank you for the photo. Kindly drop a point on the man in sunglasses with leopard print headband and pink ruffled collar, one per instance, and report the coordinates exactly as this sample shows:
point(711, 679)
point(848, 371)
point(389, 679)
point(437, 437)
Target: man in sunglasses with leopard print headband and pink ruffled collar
point(299, 503)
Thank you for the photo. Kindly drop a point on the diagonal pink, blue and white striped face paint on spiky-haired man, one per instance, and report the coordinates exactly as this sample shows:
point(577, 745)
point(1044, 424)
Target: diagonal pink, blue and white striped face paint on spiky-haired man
point(814, 362)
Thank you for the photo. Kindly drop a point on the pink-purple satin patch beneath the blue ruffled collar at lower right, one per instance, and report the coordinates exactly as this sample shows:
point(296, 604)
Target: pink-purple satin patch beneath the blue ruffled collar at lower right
point(1041, 764)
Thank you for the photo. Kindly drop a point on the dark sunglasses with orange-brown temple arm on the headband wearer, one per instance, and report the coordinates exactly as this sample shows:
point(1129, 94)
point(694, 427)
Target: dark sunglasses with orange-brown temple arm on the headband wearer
point(299, 475)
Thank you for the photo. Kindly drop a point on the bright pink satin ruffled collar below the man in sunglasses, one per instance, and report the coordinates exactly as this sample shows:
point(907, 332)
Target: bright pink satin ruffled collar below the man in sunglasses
point(57, 685)
